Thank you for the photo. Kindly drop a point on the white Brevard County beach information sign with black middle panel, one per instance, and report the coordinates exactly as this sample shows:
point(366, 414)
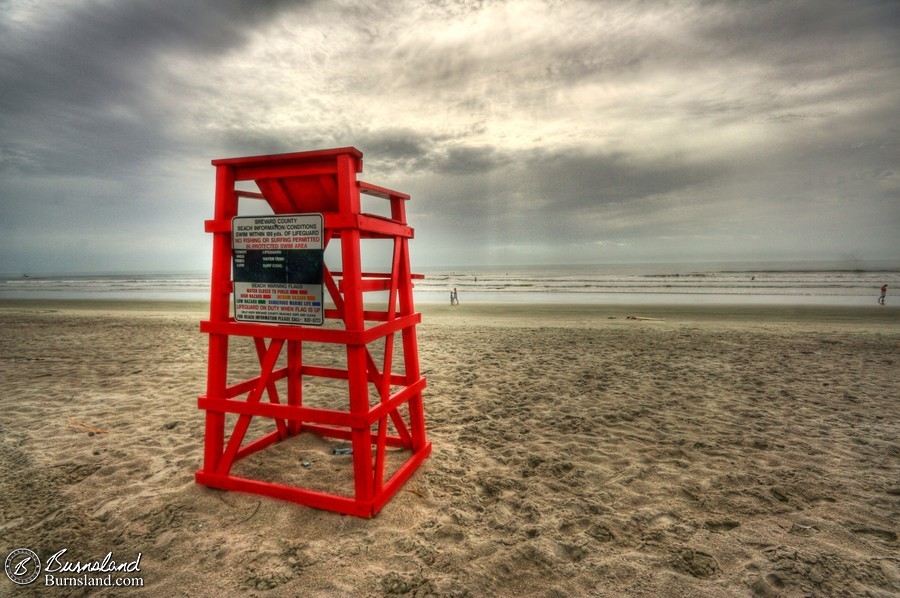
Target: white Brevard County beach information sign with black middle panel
point(278, 268)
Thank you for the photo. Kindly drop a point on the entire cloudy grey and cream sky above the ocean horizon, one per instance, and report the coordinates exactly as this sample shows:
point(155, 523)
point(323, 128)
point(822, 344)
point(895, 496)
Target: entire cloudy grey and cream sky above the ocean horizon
point(526, 131)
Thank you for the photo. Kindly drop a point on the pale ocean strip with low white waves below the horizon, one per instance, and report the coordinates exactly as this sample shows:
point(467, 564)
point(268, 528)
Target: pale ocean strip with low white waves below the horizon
point(805, 283)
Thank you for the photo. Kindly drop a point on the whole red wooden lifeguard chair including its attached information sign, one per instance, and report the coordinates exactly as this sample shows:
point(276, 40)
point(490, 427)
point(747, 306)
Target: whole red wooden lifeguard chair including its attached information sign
point(273, 294)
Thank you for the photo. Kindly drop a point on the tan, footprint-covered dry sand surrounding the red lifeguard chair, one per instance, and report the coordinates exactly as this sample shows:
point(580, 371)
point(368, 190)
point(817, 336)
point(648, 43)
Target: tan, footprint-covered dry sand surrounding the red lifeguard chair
point(714, 451)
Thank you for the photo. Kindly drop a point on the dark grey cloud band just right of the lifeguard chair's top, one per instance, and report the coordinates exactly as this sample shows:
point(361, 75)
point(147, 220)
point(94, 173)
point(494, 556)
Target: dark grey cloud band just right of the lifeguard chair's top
point(569, 195)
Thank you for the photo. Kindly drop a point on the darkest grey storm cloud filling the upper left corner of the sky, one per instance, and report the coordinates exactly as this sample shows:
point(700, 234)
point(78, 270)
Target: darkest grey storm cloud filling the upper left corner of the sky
point(80, 84)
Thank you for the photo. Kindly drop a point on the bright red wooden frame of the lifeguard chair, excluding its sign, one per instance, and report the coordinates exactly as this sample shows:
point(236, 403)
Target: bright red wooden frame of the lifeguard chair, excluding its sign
point(384, 408)
